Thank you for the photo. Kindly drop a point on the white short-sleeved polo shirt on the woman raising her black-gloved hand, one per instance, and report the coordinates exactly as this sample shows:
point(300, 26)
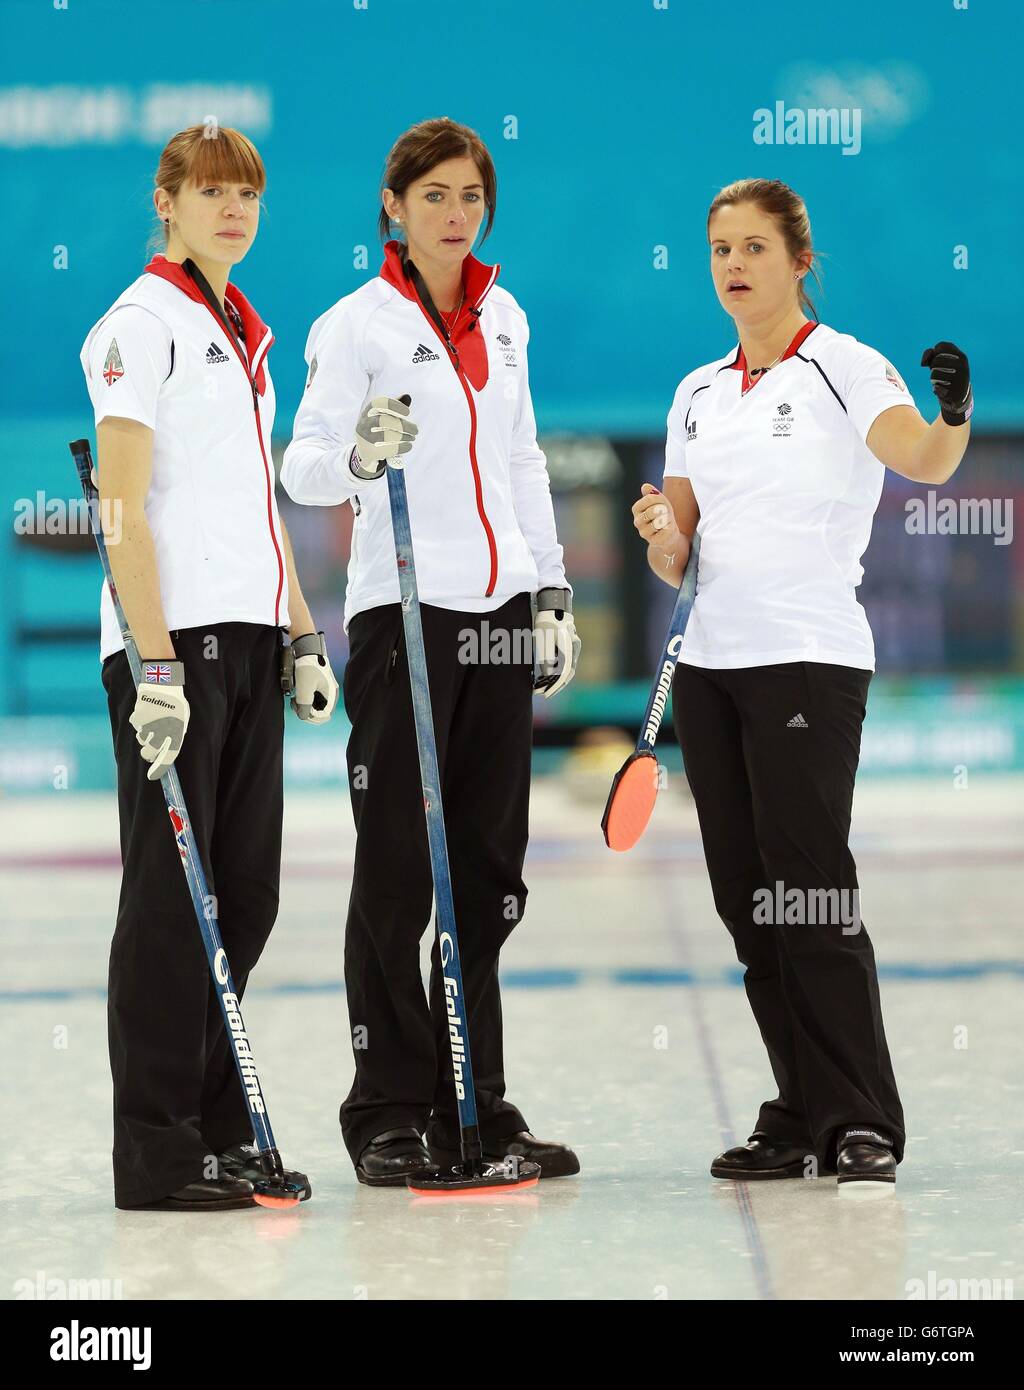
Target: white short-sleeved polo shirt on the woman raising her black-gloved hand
point(787, 490)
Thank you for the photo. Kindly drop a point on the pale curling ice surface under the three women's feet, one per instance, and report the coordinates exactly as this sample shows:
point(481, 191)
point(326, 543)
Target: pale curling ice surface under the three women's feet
point(627, 1035)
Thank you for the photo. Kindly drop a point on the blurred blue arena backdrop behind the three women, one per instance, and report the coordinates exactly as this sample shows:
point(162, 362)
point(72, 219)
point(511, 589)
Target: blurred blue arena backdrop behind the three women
point(612, 127)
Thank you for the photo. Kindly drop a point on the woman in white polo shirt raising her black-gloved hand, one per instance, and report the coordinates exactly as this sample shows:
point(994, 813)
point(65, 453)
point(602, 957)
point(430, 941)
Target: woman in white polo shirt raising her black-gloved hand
point(776, 457)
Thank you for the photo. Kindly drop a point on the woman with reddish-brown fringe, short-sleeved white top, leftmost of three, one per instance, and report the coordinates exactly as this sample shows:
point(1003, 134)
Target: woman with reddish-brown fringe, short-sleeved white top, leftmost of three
point(179, 376)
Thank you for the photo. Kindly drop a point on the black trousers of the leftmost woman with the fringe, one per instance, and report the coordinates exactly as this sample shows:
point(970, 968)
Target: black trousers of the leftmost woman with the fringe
point(177, 1093)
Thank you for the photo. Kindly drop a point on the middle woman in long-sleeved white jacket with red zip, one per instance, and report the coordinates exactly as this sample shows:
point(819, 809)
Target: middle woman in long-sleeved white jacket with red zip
point(436, 327)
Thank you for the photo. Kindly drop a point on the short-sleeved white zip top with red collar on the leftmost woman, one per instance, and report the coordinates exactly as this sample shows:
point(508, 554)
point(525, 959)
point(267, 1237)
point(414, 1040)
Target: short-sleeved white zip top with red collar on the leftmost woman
point(160, 355)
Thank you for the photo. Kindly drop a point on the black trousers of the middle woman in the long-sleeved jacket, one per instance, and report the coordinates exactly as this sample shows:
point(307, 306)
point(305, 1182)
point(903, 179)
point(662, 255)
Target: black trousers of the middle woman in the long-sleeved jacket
point(483, 723)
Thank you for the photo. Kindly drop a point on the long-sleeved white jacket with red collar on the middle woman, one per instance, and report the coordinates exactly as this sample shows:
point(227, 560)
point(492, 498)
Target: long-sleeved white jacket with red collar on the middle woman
point(479, 493)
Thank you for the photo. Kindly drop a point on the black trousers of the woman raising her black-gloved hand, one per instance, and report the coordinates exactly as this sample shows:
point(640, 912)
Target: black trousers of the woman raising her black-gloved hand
point(775, 796)
